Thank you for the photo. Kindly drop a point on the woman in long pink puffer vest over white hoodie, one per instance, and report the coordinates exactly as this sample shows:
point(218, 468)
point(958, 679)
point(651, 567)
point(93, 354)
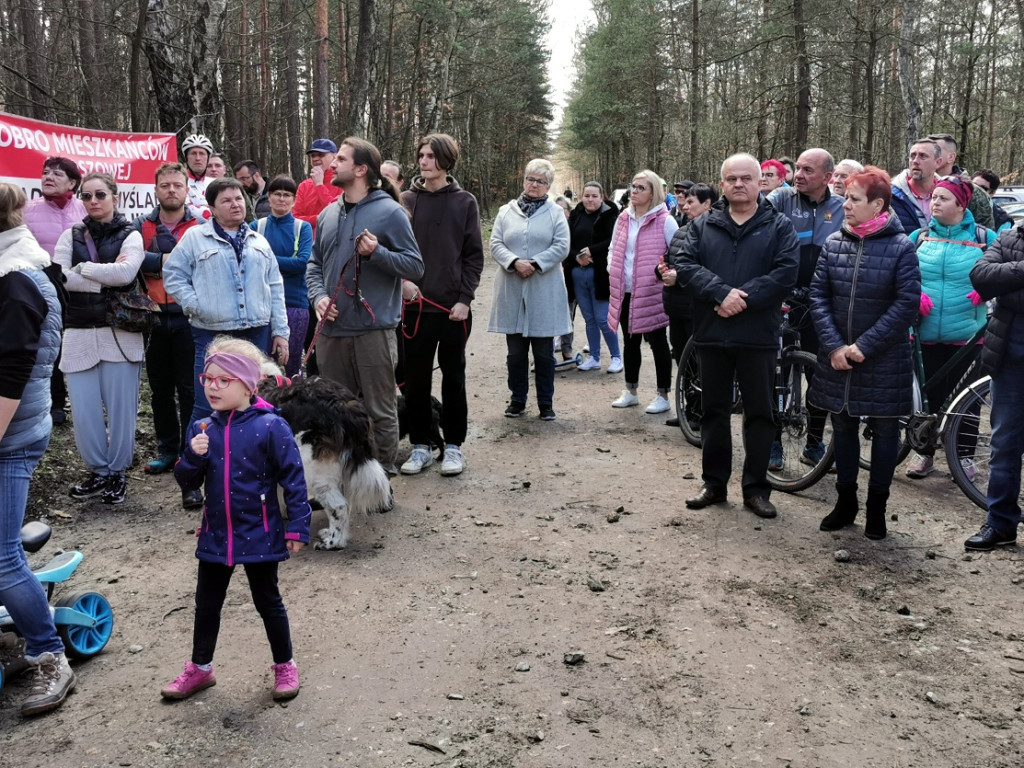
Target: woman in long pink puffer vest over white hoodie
point(639, 243)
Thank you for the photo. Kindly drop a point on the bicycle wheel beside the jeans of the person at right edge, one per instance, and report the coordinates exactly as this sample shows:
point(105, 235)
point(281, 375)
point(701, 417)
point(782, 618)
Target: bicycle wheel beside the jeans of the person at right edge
point(967, 440)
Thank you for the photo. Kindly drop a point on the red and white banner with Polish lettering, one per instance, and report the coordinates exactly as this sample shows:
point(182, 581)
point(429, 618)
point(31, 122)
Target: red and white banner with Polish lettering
point(131, 158)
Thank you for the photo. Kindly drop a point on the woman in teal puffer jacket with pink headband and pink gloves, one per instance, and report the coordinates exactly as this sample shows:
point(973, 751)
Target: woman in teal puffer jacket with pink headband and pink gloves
point(952, 311)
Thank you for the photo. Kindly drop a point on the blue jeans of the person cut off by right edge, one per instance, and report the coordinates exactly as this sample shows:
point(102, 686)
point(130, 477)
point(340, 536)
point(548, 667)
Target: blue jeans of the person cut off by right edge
point(1008, 447)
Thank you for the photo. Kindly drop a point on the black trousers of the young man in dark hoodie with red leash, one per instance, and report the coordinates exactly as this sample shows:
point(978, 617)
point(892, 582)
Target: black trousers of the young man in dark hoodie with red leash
point(436, 333)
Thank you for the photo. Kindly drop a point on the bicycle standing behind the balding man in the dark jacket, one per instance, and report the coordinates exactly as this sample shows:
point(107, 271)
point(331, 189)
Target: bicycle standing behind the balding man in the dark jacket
point(793, 415)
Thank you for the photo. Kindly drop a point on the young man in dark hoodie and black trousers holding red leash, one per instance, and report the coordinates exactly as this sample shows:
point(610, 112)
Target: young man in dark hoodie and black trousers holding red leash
point(447, 226)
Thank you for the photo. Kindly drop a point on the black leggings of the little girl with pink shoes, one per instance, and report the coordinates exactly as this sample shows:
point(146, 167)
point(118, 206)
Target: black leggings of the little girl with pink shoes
point(210, 592)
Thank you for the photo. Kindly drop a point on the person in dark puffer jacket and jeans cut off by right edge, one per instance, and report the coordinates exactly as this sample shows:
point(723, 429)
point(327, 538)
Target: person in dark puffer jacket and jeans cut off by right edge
point(1000, 276)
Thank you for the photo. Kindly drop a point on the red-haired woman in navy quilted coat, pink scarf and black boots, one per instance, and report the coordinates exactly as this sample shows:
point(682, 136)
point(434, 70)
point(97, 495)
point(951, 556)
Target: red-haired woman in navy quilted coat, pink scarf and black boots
point(865, 297)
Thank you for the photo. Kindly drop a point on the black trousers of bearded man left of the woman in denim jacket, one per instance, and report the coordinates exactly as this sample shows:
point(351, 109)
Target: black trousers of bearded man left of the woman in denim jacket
point(170, 366)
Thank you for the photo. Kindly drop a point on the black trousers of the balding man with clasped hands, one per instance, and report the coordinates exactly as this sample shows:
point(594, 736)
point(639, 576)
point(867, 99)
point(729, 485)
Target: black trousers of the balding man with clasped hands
point(754, 369)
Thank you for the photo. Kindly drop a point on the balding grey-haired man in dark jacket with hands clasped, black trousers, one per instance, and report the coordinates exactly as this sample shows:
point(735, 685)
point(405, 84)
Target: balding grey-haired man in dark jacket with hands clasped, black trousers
point(739, 264)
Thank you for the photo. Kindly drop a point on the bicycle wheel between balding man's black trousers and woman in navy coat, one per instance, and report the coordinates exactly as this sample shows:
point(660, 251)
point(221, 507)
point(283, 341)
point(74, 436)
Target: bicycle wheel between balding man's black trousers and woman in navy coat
point(804, 434)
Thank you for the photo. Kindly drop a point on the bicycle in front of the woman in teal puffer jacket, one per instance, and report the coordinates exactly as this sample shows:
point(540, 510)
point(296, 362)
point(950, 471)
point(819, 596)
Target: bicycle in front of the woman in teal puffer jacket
point(961, 425)
